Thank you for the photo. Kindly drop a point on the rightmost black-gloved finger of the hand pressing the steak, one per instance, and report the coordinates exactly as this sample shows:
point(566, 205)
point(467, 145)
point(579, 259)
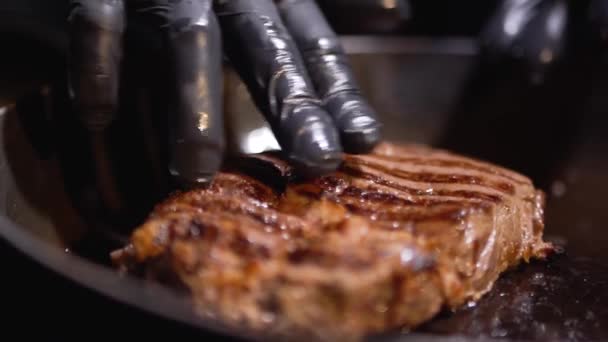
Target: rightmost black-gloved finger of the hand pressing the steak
point(332, 75)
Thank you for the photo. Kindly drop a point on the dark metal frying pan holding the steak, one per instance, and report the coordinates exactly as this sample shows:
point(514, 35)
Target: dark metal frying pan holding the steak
point(473, 110)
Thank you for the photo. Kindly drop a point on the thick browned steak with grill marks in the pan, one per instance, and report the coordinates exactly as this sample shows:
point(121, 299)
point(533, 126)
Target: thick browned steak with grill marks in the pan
point(385, 242)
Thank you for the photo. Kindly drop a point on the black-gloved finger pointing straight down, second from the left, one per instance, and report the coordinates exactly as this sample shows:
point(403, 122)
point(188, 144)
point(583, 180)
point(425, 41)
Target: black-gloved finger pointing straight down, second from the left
point(193, 46)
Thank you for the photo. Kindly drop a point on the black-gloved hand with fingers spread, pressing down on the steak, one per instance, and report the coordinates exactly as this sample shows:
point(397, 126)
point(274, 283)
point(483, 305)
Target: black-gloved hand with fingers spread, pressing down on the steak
point(285, 52)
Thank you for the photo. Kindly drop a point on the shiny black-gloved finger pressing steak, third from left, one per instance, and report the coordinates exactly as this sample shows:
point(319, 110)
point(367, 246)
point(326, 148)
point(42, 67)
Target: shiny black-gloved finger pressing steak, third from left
point(267, 59)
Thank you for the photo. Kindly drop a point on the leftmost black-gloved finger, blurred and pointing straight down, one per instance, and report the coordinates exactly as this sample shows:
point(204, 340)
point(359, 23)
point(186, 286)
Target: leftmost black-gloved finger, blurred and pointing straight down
point(96, 33)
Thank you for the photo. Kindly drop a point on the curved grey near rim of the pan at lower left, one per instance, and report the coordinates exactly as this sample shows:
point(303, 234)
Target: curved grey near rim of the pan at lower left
point(148, 297)
